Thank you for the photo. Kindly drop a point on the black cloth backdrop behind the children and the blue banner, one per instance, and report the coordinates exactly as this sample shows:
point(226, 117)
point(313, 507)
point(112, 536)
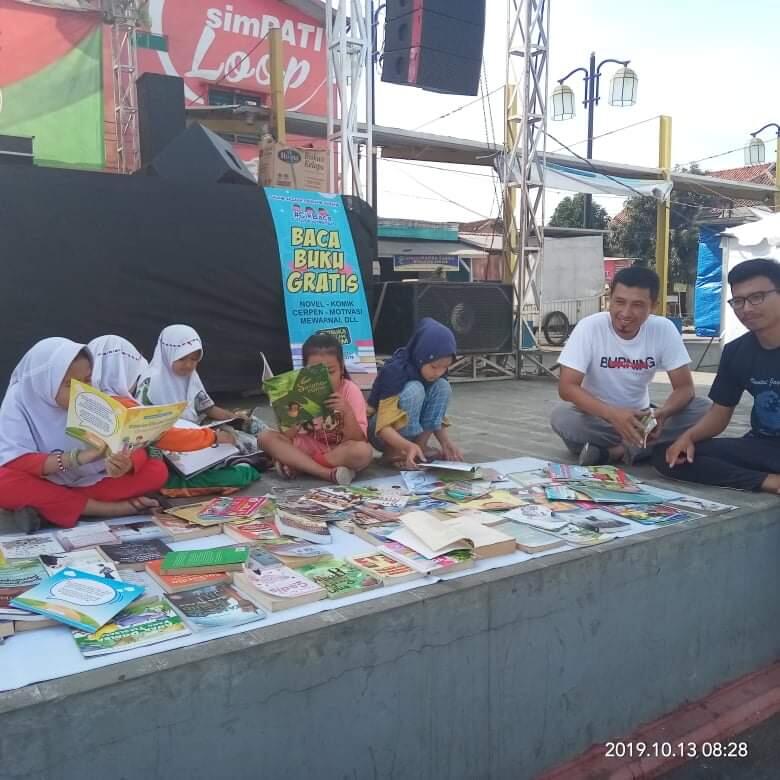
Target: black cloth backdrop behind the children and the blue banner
point(85, 254)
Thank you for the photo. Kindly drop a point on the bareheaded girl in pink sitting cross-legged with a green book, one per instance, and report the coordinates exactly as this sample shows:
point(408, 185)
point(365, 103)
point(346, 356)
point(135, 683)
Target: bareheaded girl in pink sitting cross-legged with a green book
point(336, 448)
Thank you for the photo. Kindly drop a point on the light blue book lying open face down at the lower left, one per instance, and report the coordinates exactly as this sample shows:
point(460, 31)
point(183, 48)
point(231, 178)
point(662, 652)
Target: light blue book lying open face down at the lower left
point(79, 599)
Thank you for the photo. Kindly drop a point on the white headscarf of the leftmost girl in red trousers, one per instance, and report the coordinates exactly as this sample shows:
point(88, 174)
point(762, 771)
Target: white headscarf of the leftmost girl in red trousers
point(31, 421)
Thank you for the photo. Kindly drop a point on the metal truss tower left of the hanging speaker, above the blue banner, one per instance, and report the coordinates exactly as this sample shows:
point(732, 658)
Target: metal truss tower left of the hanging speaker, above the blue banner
point(349, 41)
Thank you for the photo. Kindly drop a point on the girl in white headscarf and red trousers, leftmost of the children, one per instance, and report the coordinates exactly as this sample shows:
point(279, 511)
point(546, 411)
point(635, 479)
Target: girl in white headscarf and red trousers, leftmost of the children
point(45, 474)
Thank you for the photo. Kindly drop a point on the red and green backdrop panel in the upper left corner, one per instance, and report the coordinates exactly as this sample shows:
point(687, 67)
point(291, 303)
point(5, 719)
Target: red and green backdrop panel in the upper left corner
point(51, 82)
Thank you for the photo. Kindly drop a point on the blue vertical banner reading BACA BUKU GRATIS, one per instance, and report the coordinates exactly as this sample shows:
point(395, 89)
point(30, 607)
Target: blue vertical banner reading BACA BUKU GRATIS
point(323, 287)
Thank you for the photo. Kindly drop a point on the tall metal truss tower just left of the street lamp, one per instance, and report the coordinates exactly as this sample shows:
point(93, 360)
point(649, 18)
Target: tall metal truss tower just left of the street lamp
point(526, 125)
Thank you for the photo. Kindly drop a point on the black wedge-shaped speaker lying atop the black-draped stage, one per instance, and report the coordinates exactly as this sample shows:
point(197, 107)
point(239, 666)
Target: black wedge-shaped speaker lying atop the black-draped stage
point(199, 155)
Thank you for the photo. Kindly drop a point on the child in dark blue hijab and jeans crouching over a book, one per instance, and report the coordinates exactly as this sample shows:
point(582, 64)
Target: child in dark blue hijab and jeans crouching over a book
point(410, 397)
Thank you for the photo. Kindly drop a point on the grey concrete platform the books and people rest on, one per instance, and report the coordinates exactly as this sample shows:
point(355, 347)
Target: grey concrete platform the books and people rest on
point(501, 674)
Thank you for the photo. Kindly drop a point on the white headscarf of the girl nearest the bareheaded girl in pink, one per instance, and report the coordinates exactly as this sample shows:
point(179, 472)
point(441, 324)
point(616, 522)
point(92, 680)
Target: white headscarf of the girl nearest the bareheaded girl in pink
point(160, 385)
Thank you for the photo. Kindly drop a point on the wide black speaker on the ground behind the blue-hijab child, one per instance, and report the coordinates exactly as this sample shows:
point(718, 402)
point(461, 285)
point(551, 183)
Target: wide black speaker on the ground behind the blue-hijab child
point(478, 313)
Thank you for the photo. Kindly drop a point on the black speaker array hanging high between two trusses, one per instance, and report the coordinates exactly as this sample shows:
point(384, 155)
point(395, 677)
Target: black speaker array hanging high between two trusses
point(434, 44)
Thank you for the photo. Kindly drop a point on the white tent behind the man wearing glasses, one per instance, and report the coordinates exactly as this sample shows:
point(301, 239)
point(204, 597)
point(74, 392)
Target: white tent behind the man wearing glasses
point(746, 242)
